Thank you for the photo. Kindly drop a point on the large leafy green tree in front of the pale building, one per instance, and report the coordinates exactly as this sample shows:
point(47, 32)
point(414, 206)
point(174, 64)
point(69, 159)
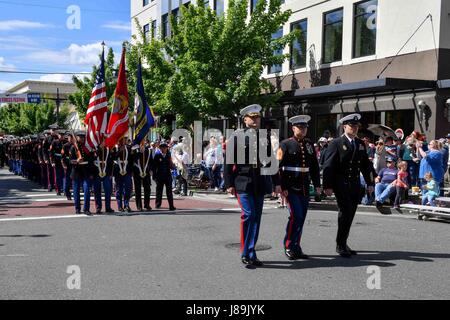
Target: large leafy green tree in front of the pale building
point(211, 65)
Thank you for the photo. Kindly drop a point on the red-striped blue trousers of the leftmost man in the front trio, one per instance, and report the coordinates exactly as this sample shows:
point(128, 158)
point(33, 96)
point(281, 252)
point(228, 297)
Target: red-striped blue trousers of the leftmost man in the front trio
point(251, 206)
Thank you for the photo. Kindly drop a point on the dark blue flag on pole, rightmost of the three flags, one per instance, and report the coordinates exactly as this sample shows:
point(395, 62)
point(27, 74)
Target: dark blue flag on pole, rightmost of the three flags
point(144, 115)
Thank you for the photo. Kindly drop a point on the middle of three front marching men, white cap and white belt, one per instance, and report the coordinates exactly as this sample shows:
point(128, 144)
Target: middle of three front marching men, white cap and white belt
point(298, 165)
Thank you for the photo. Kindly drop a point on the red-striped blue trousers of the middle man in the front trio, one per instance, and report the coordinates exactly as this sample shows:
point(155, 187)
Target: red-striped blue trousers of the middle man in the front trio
point(298, 207)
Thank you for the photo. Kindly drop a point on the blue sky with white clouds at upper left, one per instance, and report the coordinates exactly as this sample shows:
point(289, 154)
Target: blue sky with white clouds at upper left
point(34, 36)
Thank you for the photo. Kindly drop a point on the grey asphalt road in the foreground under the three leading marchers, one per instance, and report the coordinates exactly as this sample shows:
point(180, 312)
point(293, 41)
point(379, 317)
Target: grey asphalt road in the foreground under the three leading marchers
point(194, 255)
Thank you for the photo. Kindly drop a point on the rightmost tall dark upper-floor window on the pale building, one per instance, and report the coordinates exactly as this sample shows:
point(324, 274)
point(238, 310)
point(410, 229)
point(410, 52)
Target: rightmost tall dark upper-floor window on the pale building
point(365, 28)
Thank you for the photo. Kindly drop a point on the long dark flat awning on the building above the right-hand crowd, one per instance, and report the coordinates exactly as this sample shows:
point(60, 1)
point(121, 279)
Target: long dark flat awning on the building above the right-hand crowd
point(363, 87)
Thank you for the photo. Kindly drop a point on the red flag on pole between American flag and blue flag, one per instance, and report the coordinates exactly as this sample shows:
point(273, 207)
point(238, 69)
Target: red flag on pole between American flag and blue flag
point(118, 122)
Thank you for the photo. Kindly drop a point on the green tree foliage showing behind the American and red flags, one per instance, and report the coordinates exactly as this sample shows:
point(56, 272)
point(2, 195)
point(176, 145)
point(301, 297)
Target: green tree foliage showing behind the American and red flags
point(80, 99)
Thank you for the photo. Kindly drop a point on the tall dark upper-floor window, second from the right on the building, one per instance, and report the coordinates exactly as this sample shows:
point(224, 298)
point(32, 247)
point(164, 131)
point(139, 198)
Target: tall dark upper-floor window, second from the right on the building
point(332, 36)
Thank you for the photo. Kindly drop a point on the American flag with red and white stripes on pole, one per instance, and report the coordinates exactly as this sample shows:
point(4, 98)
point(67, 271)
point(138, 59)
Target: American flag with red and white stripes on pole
point(96, 115)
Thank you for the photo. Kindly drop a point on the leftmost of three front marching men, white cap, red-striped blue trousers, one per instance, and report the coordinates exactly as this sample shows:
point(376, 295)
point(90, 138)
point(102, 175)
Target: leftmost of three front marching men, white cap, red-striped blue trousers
point(249, 185)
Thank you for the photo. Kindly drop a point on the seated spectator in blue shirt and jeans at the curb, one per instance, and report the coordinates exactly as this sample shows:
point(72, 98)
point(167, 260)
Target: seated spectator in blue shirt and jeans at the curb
point(384, 188)
